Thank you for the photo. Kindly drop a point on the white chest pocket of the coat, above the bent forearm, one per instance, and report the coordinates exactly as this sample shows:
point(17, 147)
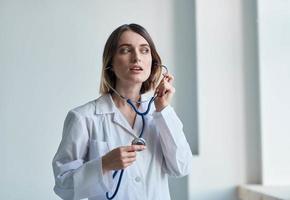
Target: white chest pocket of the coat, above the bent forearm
point(98, 149)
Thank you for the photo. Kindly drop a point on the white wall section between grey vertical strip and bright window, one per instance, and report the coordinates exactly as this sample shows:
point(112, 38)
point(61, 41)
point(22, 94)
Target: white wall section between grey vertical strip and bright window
point(227, 101)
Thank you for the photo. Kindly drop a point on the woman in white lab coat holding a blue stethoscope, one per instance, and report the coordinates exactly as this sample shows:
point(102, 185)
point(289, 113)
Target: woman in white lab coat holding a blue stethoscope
point(97, 136)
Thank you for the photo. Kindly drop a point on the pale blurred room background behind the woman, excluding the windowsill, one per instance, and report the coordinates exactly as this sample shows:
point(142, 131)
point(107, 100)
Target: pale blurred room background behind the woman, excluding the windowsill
point(230, 59)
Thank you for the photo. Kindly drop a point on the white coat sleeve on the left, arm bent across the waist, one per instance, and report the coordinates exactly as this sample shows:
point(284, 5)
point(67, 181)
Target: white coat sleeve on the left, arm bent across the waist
point(75, 177)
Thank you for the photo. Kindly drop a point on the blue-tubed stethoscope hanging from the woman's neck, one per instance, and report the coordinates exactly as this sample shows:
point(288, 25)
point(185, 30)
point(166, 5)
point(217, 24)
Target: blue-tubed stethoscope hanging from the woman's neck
point(138, 140)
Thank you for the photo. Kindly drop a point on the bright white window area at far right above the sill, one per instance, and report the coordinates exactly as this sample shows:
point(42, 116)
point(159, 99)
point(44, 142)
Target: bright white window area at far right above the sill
point(274, 56)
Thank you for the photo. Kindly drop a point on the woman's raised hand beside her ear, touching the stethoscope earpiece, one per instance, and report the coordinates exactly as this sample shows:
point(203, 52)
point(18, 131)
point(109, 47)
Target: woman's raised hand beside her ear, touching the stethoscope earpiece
point(164, 92)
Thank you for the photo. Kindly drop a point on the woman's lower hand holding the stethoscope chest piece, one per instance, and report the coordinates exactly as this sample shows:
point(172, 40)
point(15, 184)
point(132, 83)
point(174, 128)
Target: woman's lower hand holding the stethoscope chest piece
point(120, 157)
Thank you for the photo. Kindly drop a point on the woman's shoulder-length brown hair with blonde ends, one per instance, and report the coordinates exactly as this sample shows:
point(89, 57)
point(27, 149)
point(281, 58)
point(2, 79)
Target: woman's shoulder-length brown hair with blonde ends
point(108, 78)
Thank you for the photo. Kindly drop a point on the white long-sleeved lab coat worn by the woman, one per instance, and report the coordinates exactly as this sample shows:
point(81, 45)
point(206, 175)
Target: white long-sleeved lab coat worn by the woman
point(92, 130)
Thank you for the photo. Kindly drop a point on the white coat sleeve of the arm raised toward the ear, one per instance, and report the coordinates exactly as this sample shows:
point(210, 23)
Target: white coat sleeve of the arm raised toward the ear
point(175, 148)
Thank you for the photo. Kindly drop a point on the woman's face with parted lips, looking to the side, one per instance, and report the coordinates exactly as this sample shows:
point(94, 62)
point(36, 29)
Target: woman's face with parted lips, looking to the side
point(132, 61)
